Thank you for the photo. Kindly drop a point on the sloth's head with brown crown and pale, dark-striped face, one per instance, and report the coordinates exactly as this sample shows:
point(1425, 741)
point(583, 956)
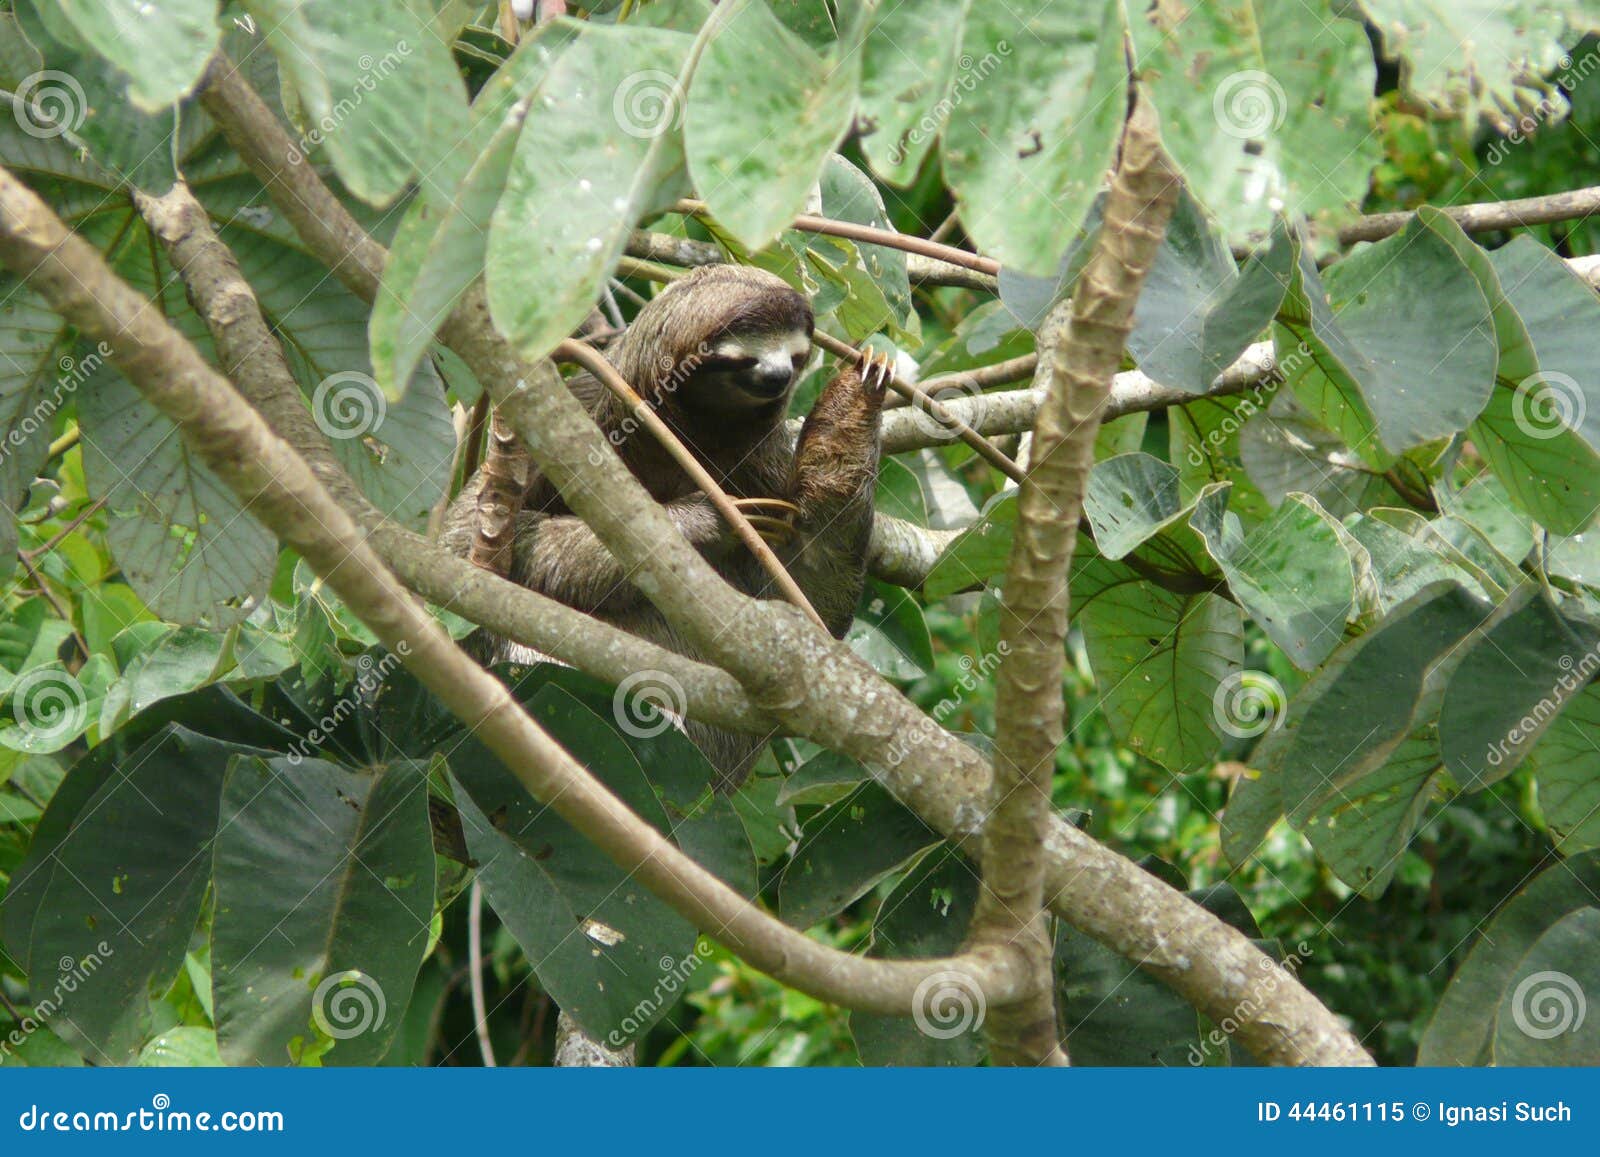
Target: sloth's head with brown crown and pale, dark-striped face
point(726, 340)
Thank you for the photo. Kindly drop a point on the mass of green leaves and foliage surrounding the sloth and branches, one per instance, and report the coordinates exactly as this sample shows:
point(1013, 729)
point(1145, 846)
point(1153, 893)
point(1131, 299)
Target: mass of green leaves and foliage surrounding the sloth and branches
point(1335, 638)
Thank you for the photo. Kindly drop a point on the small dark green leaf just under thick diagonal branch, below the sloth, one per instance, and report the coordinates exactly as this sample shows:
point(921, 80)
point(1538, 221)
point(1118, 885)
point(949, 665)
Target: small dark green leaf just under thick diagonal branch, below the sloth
point(846, 851)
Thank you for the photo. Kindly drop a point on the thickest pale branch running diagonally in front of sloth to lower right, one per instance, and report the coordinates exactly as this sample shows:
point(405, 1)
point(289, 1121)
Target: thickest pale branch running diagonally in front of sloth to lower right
point(825, 692)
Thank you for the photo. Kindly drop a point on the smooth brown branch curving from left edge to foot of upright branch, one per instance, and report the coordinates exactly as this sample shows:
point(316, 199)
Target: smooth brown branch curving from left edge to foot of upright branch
point(279, 489)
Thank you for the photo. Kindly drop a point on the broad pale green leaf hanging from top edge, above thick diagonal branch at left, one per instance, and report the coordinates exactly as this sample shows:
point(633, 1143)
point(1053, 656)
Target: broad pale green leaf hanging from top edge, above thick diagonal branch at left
point(375, 82)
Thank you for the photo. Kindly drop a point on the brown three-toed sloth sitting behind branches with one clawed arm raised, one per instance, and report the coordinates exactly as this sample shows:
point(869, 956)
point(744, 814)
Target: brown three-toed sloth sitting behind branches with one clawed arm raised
point(718, 356)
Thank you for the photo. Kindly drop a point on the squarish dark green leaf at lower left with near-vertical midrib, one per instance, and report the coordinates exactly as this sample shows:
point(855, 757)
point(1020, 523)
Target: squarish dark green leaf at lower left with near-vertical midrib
point(324, 902)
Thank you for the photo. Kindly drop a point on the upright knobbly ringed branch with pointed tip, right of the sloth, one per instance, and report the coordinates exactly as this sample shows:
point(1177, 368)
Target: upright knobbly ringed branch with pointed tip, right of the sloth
point(1030, 708)
